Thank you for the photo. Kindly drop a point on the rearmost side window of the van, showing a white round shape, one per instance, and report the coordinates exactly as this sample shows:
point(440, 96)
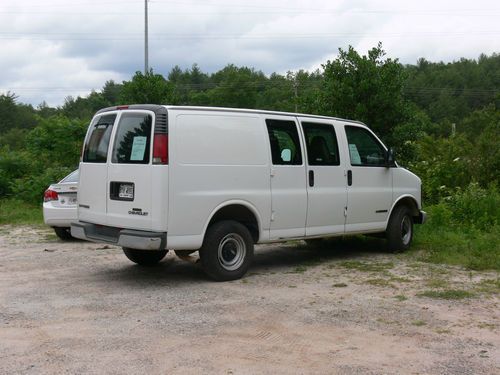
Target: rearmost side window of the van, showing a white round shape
point(284, 140)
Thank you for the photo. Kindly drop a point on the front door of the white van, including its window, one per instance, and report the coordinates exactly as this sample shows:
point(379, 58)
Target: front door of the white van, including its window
point(369, 181)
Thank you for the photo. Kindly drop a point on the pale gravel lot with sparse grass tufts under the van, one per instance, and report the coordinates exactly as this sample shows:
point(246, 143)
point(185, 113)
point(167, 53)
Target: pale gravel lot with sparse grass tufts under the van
point(80, 307)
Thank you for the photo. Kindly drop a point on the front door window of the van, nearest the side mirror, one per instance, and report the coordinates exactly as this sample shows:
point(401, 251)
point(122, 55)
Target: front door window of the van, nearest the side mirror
point(364, 148)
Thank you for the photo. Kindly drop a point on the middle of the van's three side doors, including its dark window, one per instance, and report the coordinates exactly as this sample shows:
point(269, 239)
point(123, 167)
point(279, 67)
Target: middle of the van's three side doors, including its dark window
point(326, 182)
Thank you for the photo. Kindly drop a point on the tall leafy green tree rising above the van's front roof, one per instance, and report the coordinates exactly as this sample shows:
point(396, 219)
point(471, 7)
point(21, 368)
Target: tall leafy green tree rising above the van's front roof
point(366, 88)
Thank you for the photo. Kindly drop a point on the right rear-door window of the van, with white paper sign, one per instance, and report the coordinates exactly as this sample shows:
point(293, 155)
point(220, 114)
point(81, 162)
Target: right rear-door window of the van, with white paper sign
point(132, 140)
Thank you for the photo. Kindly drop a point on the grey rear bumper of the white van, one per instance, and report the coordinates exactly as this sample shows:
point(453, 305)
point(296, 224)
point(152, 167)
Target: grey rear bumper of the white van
point(134, 239)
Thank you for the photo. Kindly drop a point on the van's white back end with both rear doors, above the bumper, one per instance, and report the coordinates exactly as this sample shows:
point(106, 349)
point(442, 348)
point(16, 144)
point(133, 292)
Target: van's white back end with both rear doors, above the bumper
point(124, 169)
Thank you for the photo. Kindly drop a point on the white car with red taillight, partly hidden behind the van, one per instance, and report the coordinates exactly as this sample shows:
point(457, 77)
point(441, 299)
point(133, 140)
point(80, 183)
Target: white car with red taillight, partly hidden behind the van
point(59, 205)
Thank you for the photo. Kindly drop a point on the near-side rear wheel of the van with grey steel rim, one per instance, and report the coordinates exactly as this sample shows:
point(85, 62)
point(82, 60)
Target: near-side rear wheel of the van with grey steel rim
point(227, 251)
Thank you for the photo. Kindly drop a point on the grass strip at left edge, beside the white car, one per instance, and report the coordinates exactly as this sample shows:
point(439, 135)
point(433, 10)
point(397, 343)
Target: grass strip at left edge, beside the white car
point(16, 212)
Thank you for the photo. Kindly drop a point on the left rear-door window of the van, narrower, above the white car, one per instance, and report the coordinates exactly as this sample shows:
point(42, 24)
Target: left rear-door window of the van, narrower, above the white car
point(96, 145)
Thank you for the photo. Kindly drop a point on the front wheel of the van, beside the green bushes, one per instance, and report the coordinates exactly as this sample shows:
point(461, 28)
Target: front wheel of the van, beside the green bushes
point(399, 232)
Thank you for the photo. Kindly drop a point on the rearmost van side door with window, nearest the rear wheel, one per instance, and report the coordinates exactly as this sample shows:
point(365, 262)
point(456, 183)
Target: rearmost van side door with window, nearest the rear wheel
point(288, 178)
